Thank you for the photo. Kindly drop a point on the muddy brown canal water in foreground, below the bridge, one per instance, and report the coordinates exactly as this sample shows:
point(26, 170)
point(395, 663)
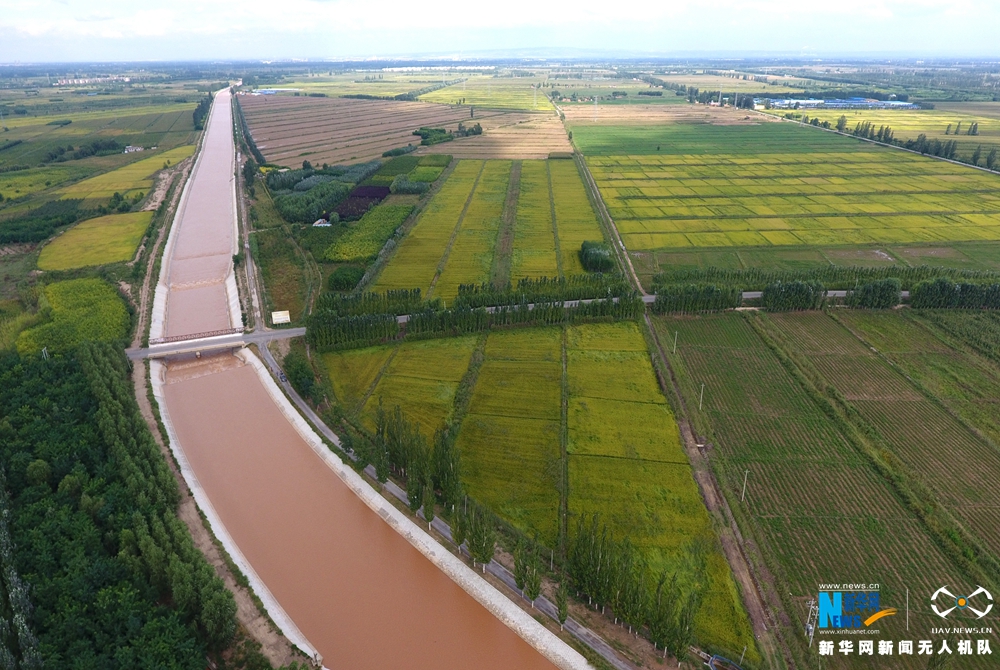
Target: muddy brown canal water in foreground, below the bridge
point(358, 591)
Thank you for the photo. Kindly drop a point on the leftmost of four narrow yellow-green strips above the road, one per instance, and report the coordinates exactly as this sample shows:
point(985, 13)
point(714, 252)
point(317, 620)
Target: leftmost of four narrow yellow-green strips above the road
point(415, 262)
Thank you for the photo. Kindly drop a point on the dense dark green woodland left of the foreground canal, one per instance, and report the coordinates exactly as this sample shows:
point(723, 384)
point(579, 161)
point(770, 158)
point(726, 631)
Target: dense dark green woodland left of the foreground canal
point(115, 578)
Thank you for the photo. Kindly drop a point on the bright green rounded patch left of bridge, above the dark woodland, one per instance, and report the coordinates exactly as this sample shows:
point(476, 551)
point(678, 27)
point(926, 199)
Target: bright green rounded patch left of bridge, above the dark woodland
point(75, 311)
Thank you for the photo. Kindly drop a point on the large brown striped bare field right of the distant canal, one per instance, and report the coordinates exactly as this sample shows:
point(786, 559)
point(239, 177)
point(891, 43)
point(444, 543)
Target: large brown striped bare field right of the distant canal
point(289, 130)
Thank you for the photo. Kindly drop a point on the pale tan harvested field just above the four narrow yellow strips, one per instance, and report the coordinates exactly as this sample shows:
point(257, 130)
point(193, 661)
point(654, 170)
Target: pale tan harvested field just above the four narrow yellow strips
point(522, 136)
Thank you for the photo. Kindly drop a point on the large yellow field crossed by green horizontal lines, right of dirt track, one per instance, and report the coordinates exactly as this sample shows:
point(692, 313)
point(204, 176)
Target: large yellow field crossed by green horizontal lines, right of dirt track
point(796, 199)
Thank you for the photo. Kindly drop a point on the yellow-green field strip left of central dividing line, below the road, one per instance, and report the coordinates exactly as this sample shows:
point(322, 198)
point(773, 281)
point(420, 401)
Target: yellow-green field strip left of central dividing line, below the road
point(511, 435)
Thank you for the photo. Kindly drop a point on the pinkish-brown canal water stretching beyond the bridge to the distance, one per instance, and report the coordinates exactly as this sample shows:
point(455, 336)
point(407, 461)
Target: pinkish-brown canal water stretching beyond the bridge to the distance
point(201, 258)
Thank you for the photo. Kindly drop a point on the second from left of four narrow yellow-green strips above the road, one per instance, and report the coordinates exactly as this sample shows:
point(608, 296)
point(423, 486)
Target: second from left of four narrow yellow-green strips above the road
point(471, 254)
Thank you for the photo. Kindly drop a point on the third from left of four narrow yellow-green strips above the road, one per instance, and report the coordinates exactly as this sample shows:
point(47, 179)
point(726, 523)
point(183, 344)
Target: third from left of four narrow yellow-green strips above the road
point(534, 238)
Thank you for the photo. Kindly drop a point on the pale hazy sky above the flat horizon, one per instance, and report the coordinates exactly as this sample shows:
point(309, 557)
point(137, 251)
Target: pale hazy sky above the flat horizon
point(130, 30)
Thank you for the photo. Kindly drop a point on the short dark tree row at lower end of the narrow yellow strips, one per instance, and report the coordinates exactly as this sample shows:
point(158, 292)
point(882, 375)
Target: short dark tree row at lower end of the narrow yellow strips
point(543, 289)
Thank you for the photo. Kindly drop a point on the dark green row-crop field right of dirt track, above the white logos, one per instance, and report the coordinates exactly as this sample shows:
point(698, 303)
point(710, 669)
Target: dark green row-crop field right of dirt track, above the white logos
point(814, 502)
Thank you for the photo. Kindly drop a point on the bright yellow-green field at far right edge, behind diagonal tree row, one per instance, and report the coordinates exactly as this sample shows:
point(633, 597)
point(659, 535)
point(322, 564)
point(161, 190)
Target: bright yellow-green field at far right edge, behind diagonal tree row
point(956, 120)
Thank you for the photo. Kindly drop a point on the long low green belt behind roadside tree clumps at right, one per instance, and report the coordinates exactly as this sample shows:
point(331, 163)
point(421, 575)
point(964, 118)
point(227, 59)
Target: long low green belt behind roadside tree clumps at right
point(834, 277)
